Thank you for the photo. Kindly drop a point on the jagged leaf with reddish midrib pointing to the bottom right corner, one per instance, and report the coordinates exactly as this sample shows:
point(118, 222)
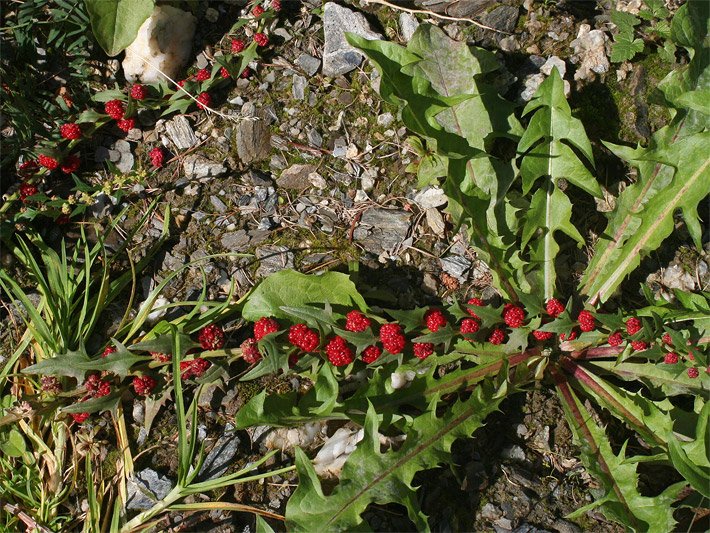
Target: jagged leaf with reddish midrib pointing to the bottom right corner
point(622, 501)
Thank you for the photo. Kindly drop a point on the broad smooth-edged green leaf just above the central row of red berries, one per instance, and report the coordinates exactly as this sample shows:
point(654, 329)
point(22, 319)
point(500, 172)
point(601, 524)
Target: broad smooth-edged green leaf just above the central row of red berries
point(288, 288)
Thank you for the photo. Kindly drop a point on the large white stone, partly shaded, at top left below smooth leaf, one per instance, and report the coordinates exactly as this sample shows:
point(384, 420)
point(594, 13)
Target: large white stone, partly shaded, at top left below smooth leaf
point(163, 43)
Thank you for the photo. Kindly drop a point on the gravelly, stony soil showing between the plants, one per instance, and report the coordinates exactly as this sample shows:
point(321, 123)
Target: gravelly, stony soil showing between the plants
point(305, 167)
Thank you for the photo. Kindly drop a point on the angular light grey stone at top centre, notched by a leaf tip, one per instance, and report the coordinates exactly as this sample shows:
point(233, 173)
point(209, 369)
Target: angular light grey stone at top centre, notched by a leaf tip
point(338, 56)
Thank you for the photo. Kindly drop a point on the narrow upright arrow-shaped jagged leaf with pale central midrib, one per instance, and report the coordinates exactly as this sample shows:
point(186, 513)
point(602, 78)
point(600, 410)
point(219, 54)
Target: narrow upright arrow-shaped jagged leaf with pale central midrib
point(549, 145)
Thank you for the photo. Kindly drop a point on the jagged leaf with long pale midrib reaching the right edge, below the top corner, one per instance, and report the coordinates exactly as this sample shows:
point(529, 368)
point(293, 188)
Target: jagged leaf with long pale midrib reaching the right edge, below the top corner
point(671, 177)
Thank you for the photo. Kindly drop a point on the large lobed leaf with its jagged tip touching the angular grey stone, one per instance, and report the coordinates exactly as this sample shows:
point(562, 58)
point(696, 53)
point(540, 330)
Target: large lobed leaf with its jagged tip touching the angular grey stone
point(437, 83)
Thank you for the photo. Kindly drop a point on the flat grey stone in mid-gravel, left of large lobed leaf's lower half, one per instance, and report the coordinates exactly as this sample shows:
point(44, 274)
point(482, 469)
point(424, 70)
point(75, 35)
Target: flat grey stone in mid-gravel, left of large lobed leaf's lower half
point(382, 230)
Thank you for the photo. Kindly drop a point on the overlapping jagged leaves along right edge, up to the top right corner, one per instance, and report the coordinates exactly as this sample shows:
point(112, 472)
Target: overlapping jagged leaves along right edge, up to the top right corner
point(674, 171)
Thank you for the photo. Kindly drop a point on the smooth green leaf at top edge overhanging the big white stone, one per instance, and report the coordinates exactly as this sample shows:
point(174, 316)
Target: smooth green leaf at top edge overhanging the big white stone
point(115, 23)
